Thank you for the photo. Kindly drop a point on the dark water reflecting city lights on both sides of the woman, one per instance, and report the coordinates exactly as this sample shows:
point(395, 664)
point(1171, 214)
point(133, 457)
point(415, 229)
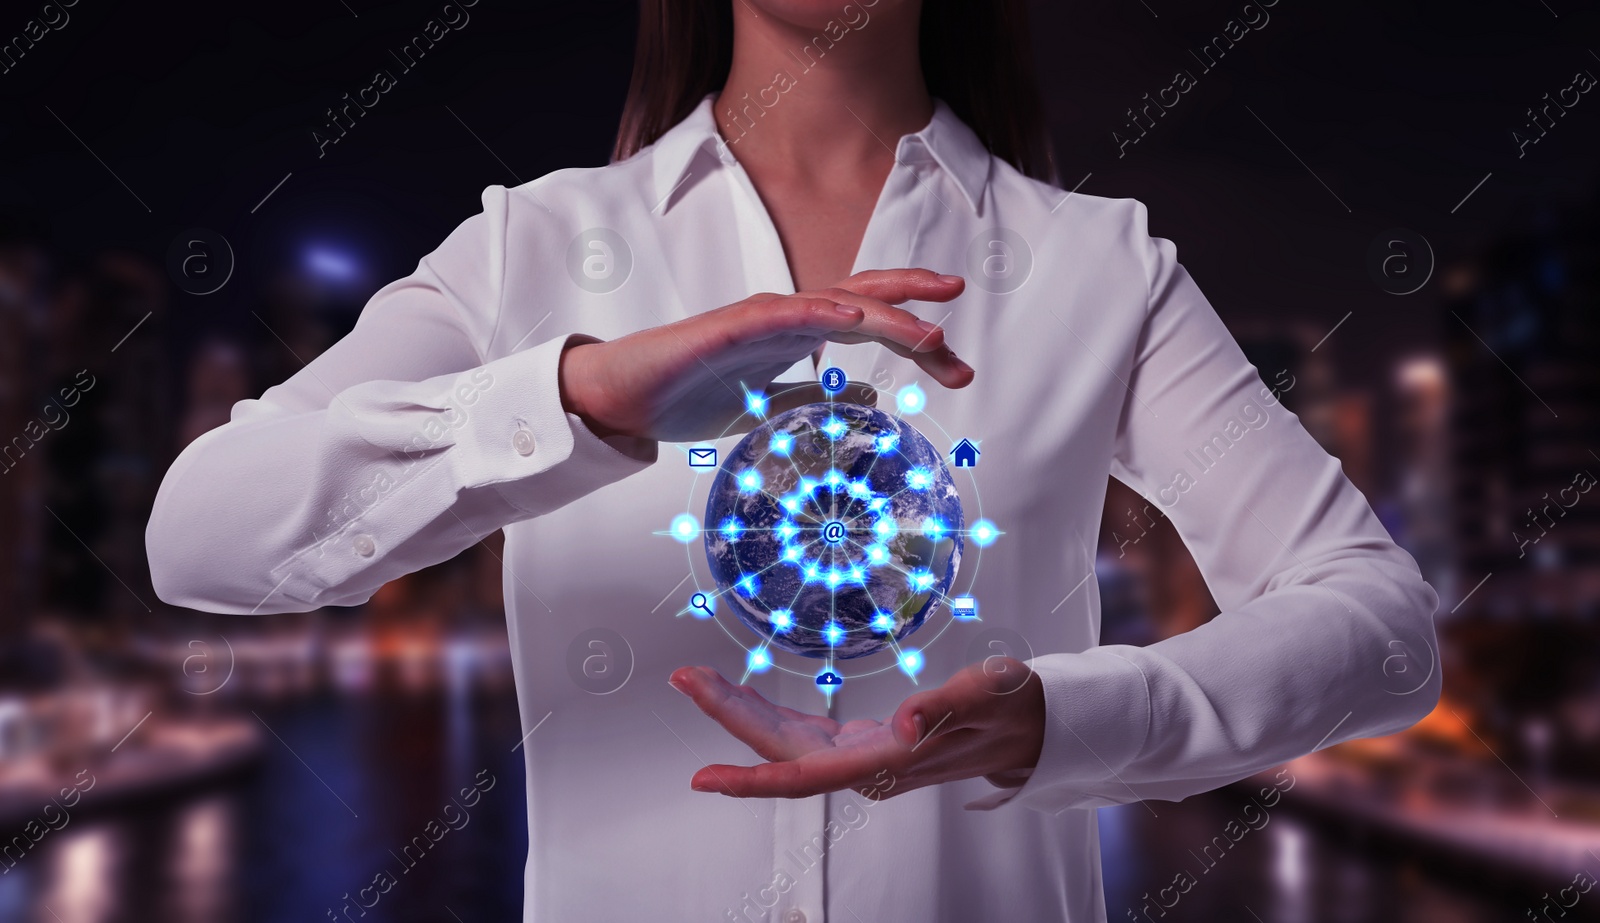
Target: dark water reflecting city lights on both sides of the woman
point(278, 844)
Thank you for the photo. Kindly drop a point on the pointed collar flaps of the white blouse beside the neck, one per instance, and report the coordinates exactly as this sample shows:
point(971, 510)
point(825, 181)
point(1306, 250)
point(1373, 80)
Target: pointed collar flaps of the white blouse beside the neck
point(946, 140)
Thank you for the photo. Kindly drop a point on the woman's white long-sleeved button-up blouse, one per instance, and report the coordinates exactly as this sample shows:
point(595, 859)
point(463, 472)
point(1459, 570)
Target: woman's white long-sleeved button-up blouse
point(438, 422)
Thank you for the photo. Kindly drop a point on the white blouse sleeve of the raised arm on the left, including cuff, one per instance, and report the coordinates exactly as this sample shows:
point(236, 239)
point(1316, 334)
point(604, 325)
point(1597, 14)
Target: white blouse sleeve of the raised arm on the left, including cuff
point(394, 450)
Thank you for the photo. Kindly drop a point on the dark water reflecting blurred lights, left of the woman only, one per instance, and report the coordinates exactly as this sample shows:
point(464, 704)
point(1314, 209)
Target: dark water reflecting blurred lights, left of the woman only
point(276, 844)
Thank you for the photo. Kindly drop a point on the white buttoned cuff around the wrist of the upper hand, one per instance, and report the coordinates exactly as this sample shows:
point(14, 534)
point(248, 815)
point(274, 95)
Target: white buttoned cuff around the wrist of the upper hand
point(529, 449)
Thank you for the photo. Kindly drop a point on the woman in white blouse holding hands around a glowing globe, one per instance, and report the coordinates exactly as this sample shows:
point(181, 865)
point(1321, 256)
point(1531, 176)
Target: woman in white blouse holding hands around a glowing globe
point(884, 162)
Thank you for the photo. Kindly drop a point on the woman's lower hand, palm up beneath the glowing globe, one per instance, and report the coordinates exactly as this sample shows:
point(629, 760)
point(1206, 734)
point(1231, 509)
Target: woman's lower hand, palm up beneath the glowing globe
point(986, 721)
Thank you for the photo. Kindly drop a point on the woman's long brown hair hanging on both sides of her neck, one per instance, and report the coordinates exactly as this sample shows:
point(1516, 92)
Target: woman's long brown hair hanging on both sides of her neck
point(977, 58)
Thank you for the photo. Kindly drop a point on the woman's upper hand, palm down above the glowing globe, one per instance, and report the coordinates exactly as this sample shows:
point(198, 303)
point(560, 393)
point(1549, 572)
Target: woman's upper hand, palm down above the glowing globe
point(687, 382)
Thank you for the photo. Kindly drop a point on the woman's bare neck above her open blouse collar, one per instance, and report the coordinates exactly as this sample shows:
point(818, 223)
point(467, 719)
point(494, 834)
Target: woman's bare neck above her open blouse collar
point(817, 100)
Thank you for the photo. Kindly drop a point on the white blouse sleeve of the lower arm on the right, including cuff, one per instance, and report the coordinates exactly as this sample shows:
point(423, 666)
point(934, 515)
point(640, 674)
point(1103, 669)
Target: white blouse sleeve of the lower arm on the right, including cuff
point(1316, 599)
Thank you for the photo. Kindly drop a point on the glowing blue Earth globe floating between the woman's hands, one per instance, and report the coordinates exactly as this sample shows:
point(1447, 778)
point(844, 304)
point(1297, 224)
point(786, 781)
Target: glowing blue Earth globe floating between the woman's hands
point(834, 530)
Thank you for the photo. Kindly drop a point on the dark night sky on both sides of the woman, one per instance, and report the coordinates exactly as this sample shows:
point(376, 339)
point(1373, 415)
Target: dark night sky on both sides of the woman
point(1401, 108)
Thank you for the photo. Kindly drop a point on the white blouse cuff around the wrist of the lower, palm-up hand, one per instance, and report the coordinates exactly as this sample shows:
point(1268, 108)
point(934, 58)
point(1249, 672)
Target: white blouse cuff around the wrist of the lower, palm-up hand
point(1097, 722)
